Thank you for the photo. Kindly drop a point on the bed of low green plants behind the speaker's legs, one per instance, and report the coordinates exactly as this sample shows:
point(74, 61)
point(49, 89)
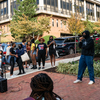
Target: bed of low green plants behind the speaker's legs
point(72, 68)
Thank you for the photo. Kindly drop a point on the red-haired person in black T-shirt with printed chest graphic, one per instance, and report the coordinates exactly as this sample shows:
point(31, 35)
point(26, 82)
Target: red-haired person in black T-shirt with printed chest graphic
point(41, 52)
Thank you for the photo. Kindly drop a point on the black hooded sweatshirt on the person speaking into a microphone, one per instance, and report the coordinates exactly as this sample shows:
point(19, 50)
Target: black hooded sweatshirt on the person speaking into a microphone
point(87, 45)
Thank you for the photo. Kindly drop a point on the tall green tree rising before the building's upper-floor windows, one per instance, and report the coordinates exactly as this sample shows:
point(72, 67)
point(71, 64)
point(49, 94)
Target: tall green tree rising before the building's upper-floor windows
point(26, 7)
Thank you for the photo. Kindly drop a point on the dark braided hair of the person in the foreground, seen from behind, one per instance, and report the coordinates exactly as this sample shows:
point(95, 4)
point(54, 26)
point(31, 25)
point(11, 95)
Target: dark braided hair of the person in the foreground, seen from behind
point(42, 86)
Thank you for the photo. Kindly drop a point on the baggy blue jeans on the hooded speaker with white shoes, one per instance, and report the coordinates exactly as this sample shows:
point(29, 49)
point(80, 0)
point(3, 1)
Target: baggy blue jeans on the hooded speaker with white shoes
point(86, 61)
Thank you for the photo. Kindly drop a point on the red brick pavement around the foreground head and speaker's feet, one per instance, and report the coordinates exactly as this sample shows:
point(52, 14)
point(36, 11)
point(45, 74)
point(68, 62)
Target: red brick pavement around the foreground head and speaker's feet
point(19, 88)
